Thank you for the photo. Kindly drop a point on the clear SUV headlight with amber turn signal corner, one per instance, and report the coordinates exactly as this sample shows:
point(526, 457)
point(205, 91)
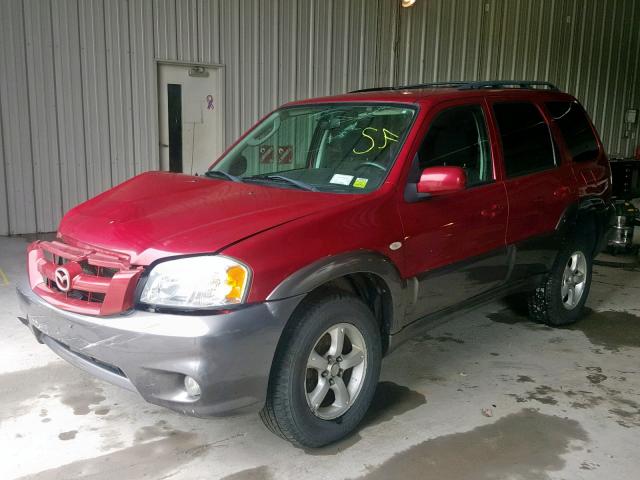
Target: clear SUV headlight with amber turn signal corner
point(197, 282)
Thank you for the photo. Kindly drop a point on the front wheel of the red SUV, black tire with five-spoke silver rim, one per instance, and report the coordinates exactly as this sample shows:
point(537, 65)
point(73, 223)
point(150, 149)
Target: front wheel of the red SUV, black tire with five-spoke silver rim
point(325, 372)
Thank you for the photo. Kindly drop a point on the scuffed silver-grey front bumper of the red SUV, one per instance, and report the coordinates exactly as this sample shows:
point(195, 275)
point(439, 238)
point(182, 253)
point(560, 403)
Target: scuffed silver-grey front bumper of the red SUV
point(229, 354)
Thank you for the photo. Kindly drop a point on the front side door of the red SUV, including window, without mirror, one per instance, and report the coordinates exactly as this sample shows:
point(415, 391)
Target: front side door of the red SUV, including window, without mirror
point(455, 243)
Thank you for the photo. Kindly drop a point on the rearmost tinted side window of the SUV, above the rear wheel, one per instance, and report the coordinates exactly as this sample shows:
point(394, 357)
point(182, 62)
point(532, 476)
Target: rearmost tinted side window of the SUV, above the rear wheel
point(576, 130)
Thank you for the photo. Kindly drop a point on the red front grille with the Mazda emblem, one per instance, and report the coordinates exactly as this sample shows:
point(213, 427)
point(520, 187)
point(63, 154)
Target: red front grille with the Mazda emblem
point(82, 279)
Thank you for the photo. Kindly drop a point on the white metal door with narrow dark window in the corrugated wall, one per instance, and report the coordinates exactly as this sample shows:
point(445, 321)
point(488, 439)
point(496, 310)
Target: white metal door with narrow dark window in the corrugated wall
point(199, 100)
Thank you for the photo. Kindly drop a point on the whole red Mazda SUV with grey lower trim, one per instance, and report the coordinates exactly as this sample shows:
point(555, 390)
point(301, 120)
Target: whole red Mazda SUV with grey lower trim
point(329, 233)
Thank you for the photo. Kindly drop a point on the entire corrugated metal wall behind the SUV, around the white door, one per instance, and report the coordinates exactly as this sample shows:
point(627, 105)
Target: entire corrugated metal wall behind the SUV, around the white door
point(78, 92)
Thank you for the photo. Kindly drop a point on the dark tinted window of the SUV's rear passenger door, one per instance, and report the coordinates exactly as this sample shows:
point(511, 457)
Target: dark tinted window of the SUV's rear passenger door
point(526, 140)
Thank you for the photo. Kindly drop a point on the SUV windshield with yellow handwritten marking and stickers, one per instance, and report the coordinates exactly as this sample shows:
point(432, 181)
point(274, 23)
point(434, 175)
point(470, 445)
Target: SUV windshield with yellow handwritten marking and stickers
point(346, 148)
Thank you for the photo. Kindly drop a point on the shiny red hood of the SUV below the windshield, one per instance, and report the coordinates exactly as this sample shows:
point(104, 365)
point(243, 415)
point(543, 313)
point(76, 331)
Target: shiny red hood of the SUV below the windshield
point(158, 214)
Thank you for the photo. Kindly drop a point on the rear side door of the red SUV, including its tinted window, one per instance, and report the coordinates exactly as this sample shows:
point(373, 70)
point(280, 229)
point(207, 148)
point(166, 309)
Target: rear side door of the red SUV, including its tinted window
point(540, 186)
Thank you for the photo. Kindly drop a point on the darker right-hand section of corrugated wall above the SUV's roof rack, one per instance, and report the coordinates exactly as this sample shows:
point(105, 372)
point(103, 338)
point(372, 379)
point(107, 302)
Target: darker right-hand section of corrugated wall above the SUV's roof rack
point(590, 48)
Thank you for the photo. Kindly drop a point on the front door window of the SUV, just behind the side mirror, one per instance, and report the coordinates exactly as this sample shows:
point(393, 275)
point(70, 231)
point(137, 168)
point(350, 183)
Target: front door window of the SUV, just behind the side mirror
point(458, 137)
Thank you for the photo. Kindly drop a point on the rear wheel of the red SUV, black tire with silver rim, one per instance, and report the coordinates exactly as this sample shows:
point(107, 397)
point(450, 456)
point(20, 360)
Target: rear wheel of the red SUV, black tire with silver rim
point(560, 300)
